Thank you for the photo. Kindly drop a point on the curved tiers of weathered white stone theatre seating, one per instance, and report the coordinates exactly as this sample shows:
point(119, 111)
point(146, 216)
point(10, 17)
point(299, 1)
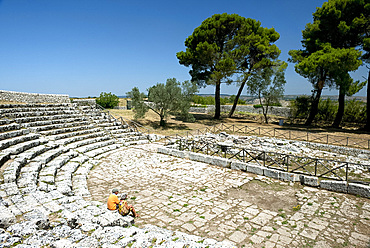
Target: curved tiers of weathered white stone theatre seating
point(48, 146)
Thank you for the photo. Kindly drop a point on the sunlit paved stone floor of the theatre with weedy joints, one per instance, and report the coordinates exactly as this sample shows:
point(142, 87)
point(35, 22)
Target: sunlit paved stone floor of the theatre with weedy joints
point(224, 204)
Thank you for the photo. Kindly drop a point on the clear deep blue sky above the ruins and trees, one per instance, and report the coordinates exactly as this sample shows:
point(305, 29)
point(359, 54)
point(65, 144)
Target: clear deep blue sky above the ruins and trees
point(85, 47)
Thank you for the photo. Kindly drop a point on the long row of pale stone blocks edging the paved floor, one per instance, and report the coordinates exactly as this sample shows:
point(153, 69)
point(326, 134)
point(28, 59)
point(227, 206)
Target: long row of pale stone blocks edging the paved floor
point(337, 186)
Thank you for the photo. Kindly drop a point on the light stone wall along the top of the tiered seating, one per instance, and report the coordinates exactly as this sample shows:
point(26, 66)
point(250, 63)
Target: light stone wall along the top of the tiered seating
point(13, 96)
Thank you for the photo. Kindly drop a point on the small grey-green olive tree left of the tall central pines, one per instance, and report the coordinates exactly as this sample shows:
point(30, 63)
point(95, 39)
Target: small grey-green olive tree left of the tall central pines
point(164, 99)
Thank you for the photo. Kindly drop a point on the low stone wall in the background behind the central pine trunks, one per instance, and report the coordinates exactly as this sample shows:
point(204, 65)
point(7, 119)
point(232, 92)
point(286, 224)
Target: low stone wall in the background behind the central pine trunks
point(278, 111)
